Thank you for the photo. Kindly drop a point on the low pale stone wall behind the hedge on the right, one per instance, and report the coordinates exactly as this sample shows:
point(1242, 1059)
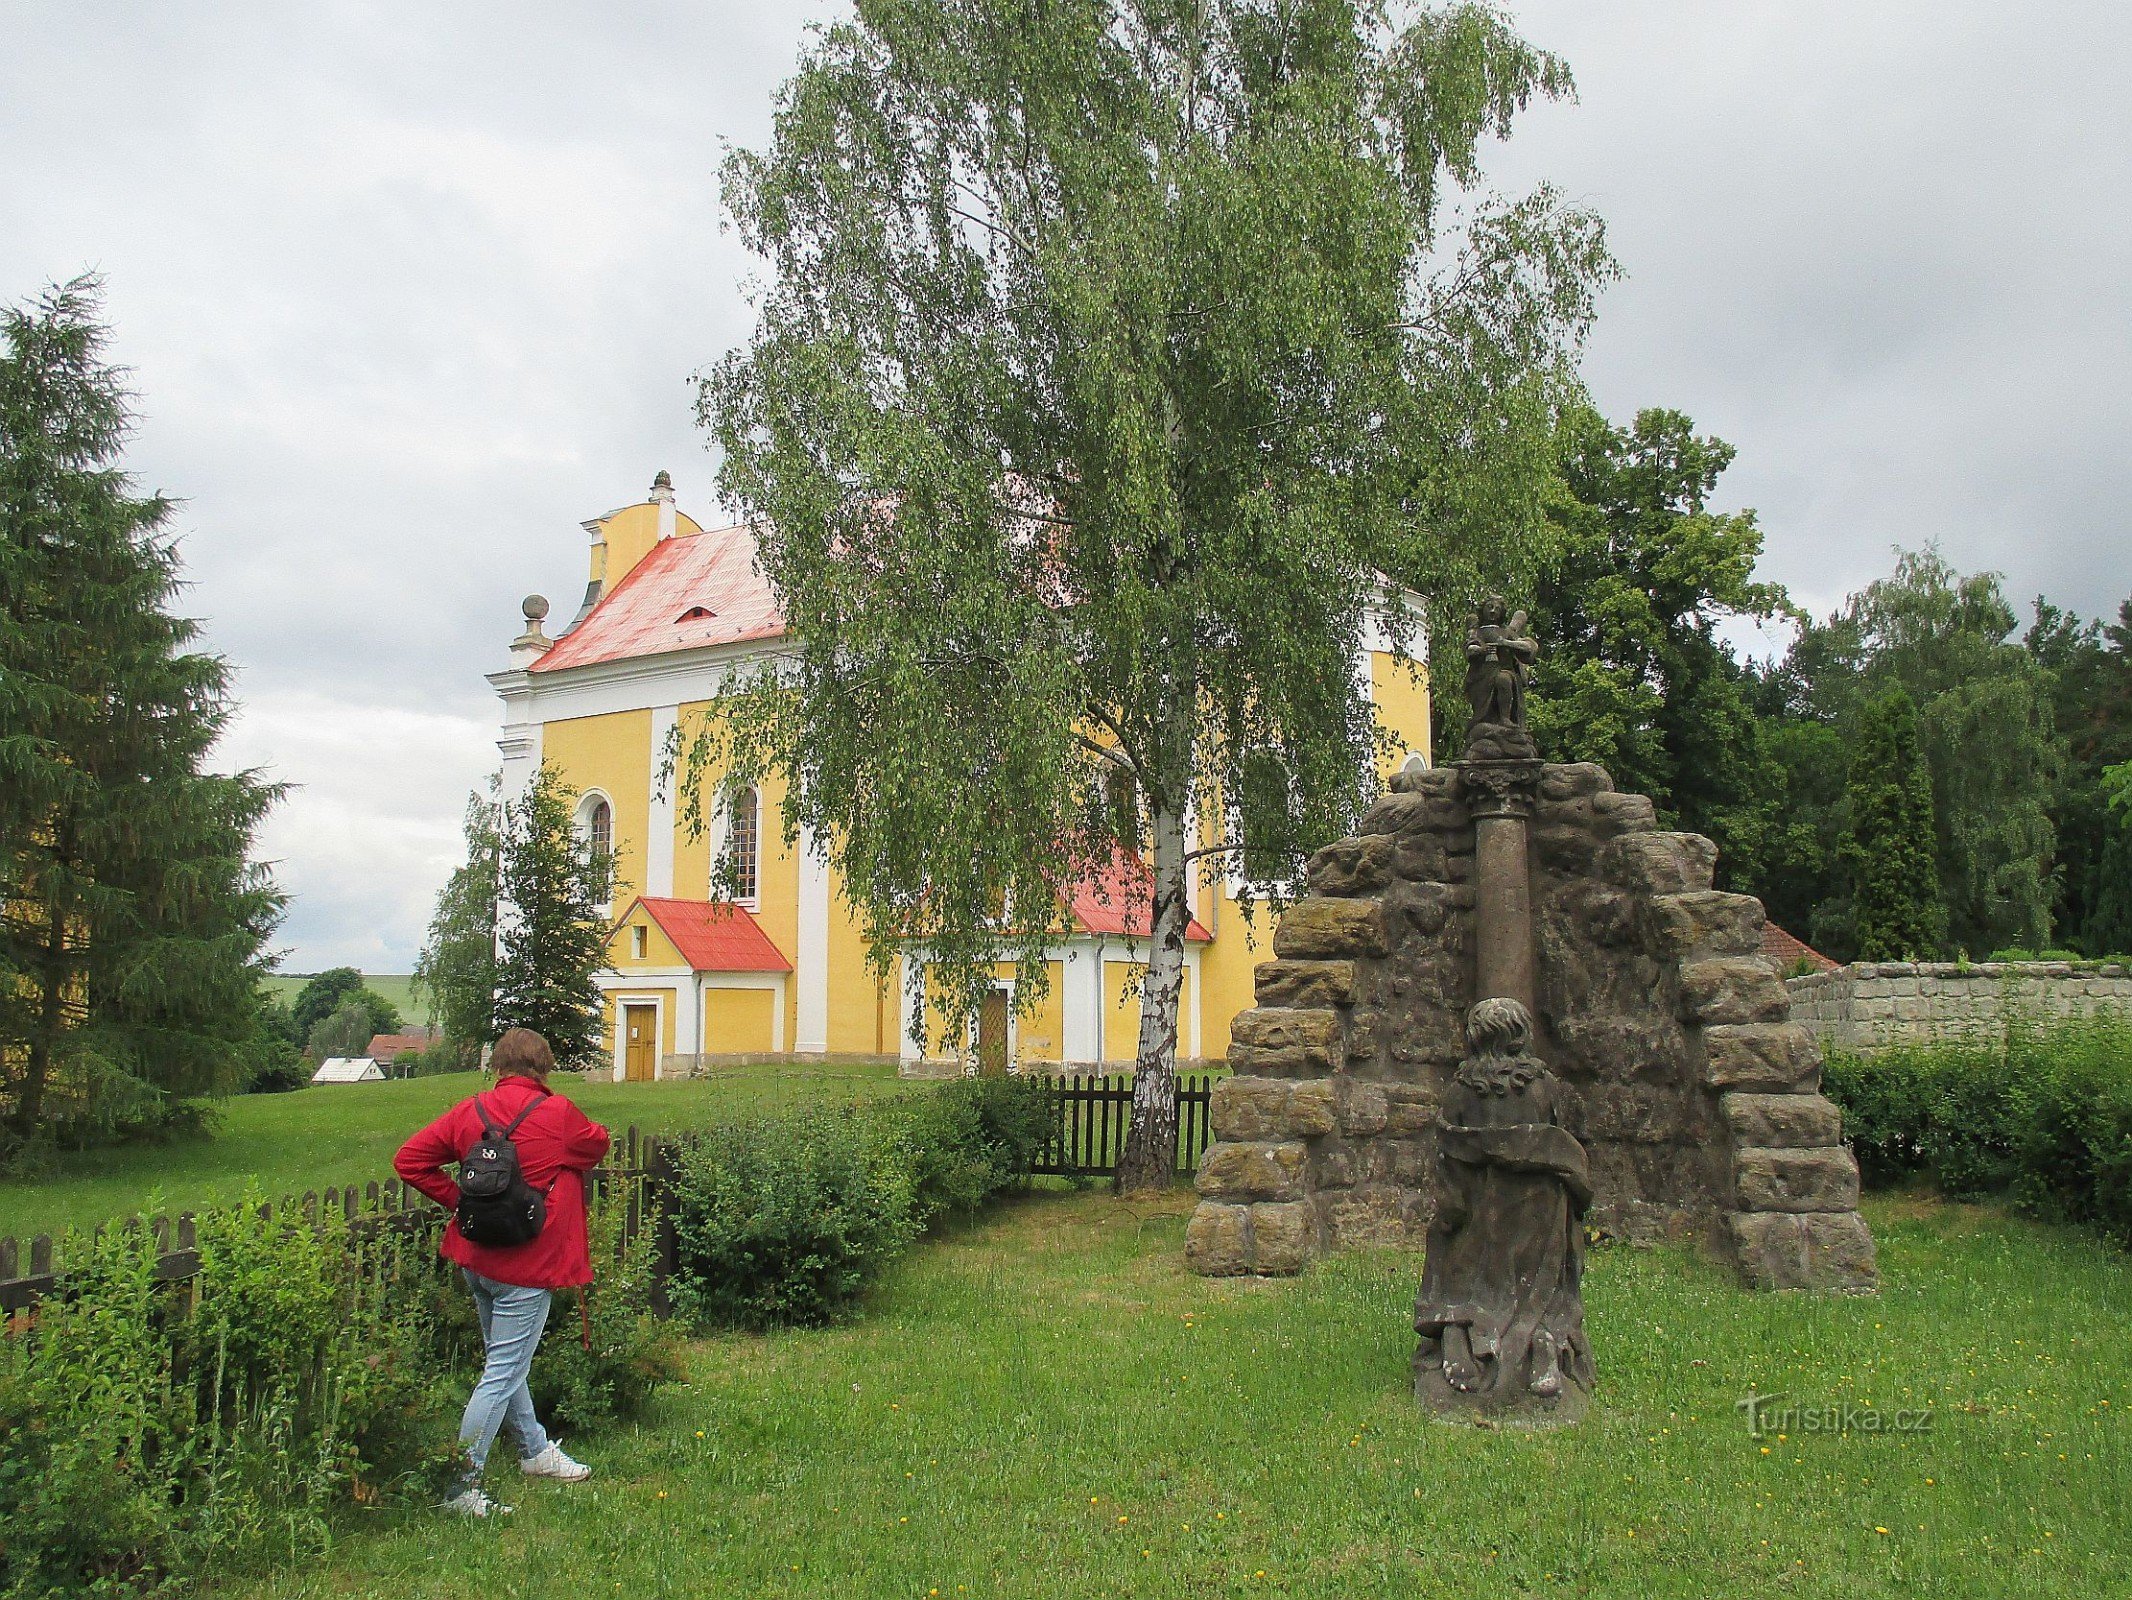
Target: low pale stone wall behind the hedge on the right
point(1871, 1006)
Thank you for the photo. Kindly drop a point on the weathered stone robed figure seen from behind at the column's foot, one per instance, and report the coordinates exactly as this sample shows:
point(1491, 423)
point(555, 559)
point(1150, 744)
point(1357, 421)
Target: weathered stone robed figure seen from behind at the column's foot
point(1502, 1311)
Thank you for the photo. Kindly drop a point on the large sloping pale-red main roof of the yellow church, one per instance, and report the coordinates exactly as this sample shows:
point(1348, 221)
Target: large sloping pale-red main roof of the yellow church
point(688, 592)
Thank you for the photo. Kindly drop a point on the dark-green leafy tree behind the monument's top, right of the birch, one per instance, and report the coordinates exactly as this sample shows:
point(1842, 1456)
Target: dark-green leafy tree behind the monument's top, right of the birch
point(1628, 609)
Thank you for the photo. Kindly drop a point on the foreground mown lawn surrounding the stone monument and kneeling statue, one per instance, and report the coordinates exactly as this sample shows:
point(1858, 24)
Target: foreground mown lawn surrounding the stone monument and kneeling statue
point(1048, 1405)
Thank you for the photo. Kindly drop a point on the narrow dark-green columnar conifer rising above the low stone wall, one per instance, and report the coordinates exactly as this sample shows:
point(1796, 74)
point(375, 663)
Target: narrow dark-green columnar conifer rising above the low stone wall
point(1894, 869)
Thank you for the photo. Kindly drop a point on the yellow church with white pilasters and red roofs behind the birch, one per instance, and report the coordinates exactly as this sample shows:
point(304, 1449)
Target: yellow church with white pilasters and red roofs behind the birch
point(671, 607)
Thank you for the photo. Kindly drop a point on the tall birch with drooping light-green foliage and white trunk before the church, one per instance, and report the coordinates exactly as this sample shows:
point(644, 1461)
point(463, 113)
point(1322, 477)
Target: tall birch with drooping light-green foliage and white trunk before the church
point(1110, 357)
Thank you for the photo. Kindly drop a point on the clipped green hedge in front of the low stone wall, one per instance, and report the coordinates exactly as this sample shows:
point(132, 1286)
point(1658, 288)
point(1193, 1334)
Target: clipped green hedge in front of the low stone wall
point(2037, 1115)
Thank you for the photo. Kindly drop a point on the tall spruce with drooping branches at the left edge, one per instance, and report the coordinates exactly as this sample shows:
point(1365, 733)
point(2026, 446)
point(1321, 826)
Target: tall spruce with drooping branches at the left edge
point(131, 914)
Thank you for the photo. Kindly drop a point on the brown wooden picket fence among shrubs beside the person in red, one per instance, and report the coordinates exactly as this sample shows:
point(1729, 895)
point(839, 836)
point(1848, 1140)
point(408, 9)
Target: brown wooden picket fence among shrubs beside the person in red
point(636, 1166)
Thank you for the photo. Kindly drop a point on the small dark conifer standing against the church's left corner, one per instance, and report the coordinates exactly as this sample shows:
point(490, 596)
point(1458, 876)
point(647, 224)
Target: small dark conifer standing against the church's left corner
point(553, 938)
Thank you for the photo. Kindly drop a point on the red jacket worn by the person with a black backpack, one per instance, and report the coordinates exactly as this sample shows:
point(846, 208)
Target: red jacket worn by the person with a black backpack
point(555, 1145)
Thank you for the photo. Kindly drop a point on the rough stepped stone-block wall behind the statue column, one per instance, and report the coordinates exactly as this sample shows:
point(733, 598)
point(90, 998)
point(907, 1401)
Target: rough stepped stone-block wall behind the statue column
point(1692, 1089)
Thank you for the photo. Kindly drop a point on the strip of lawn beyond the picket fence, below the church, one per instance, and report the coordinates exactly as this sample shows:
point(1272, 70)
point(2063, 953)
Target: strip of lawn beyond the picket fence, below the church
point(346, 1134)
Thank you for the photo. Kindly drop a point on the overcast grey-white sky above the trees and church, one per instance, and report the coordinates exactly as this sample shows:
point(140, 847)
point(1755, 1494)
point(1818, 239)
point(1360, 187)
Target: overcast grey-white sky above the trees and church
point(410, 291)
